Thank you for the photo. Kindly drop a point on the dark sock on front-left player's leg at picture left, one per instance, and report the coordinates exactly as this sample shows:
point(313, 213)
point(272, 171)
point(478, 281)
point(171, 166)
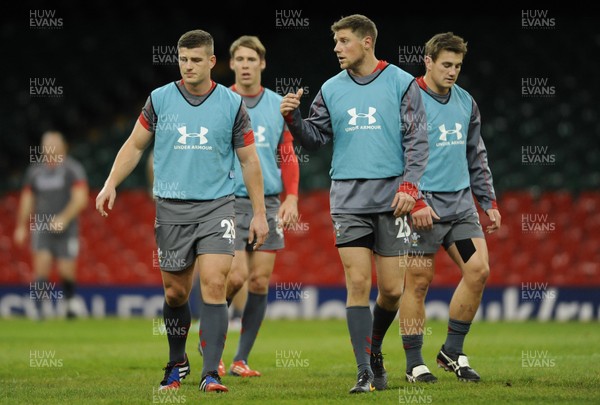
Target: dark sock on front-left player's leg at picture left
point(177, 323)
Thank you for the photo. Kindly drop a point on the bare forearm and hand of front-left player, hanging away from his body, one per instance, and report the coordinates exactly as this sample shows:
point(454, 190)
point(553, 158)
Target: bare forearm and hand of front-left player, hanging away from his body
point(127, 159)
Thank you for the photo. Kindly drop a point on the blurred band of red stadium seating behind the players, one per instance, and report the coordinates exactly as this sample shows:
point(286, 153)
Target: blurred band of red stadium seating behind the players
point(119, 249)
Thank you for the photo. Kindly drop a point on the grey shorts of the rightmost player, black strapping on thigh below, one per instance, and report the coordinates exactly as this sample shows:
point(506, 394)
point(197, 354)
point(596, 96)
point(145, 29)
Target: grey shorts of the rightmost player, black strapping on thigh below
point(443, 234)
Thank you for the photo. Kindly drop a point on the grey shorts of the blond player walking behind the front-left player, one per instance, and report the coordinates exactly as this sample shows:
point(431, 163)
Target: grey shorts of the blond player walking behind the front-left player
point(243, 216)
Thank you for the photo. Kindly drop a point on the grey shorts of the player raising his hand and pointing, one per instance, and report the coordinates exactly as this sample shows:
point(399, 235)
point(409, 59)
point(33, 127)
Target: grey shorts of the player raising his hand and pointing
point(383, 226)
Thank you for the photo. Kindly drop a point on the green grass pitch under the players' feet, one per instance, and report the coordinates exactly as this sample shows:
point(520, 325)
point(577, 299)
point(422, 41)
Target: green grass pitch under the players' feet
point(119, 361)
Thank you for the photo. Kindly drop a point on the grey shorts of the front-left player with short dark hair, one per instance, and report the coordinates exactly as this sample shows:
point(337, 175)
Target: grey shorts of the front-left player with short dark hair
point(179, 244)
